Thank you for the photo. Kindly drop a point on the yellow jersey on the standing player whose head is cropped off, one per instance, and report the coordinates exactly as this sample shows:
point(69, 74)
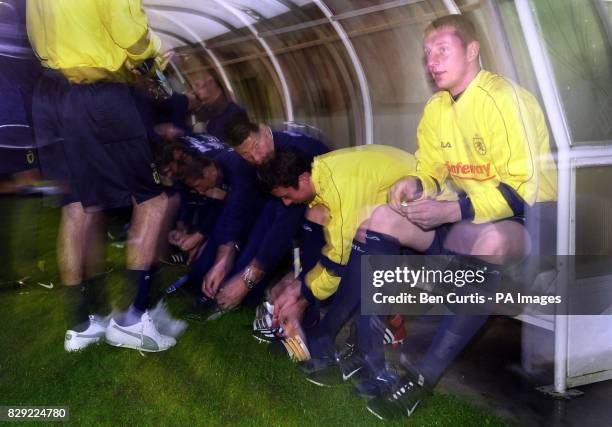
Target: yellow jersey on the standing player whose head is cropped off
point(76, 35)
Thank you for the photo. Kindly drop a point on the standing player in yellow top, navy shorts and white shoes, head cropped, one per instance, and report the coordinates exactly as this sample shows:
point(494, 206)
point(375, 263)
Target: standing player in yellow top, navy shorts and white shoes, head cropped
point(89, 49)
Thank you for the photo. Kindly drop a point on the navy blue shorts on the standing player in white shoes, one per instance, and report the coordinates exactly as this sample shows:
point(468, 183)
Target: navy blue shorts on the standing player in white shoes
point(93, 141)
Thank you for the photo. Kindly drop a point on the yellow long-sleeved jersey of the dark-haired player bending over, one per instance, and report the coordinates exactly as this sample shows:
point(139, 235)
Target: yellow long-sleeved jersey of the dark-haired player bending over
point(350, 183)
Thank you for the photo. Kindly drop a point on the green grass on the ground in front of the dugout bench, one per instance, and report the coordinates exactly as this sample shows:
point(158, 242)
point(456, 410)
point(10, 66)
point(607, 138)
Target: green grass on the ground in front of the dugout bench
point(216, 375)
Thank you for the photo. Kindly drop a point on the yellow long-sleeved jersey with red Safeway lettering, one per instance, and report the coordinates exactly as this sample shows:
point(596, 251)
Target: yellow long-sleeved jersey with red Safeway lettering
point(491, 144)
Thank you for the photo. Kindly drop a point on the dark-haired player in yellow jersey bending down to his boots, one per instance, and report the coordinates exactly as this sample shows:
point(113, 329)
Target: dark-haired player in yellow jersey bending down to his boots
point(348, 185)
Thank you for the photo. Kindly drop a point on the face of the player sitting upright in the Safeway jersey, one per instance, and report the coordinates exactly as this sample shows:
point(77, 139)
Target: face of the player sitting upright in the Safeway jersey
point(450, 63)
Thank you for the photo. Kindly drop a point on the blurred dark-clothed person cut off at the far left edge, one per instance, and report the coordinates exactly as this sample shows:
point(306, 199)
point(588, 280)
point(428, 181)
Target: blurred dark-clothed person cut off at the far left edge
point(19, 176)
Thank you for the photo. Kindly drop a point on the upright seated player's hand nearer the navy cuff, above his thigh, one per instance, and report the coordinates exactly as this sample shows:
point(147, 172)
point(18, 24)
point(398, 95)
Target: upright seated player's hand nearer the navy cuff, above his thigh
point(429, 214)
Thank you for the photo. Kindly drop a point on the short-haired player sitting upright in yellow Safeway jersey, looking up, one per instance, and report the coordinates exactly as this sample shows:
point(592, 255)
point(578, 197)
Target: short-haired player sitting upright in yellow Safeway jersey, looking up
point(486, 137)
